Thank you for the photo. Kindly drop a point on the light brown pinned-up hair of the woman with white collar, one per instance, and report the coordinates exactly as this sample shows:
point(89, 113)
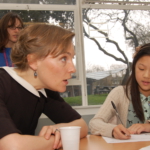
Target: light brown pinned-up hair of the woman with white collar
point(40, 40)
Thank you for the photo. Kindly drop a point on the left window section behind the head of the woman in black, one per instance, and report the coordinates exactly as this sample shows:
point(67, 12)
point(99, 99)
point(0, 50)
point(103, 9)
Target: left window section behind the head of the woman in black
point(66, 19)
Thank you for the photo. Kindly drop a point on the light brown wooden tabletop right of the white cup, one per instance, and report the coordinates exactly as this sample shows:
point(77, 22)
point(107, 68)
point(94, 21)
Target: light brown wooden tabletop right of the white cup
point(92, 142)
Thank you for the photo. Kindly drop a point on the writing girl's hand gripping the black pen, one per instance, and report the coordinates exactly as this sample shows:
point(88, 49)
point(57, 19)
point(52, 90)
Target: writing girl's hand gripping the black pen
point(120, 132)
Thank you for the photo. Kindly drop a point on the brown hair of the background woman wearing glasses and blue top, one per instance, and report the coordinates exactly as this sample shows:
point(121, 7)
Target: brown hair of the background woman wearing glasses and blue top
point(9, 17)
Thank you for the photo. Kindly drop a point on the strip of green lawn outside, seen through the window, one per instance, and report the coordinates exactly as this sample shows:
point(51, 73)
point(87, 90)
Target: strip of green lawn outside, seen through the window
point(92, 100)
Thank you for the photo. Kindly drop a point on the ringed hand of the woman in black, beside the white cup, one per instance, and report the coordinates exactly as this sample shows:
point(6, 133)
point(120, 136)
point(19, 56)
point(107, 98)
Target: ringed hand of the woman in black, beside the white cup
point(47, 131)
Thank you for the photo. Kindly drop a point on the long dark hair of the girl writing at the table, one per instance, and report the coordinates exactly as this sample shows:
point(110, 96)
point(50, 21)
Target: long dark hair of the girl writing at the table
point(132, 87)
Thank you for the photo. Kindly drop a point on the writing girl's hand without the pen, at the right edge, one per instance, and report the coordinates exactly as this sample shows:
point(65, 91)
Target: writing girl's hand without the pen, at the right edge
point(138, 128)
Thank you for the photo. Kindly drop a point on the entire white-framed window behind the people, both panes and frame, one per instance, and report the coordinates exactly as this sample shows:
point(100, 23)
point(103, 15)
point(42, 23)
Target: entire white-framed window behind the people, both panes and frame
point(104, 42)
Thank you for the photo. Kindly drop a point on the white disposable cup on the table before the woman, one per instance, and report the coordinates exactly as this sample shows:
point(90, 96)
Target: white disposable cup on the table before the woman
point(70, 137)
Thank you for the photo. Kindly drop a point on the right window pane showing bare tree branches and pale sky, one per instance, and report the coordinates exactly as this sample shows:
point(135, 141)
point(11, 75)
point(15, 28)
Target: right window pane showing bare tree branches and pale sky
point(110, 37)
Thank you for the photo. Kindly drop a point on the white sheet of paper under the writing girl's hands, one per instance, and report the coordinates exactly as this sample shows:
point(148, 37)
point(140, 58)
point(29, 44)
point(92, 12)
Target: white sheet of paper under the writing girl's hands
point(134, 138)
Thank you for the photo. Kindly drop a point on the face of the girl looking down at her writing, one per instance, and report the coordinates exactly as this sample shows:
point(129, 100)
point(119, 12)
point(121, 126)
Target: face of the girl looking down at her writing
point(142, 73)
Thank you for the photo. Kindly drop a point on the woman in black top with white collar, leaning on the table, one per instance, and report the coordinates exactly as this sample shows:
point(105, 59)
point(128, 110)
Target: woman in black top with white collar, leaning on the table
point(43, 65)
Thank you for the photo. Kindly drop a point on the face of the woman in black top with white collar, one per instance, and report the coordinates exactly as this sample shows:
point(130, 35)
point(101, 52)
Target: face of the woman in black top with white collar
point(54, 73)
